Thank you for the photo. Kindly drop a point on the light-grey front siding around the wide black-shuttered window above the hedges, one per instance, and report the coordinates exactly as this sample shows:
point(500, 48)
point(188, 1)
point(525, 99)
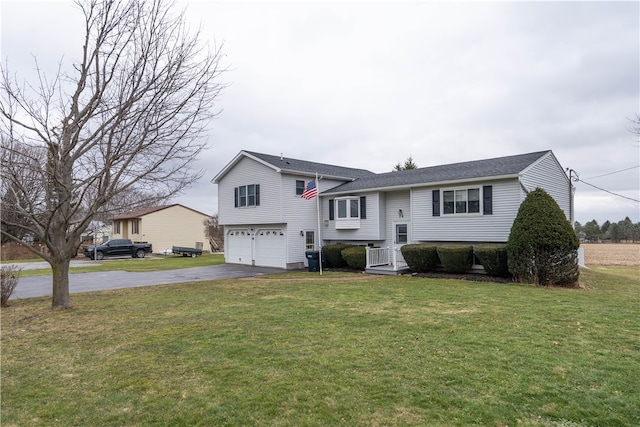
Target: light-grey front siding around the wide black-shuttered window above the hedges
point(466, 227)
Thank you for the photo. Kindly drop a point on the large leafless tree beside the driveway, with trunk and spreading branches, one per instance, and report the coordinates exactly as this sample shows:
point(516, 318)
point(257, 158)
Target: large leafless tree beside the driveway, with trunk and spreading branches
point(129, 119)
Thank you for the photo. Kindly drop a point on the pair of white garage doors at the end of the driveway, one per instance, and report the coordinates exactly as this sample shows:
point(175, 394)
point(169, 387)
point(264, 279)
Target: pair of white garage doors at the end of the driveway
point(266, 247)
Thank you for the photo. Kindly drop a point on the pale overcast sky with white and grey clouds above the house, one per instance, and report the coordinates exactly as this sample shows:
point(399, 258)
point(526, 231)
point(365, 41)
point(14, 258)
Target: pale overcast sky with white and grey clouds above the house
point(367, 84)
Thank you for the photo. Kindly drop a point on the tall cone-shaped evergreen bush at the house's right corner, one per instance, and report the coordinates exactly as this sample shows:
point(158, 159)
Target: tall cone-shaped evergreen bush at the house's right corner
point(542, 247)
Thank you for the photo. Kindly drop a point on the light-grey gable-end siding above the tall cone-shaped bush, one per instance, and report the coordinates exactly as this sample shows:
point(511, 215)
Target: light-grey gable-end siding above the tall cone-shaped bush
point(547, 174)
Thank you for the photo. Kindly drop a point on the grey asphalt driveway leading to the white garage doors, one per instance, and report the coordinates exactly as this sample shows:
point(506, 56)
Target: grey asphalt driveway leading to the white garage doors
point(38, 286)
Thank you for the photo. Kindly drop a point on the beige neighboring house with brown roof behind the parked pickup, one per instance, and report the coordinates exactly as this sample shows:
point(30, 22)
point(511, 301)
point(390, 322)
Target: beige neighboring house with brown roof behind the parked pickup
point(163, 226)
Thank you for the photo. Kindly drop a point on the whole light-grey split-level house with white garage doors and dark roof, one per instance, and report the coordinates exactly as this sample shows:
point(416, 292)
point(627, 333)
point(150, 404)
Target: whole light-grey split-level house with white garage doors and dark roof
point(268, 223)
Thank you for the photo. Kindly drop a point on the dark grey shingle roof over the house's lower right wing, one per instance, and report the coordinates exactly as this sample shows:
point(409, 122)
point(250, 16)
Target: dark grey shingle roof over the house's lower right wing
point(487, 168)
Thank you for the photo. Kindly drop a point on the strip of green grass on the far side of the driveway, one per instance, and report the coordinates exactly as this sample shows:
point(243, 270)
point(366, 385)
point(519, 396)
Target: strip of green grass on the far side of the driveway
point(157, 263)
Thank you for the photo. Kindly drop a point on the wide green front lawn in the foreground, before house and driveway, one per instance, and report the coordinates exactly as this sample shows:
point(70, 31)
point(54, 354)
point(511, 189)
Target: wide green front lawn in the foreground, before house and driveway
point(342, 349)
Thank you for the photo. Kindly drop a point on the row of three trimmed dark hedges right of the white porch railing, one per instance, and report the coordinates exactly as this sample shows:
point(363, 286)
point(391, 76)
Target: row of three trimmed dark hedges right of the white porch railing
point(424, 258)
